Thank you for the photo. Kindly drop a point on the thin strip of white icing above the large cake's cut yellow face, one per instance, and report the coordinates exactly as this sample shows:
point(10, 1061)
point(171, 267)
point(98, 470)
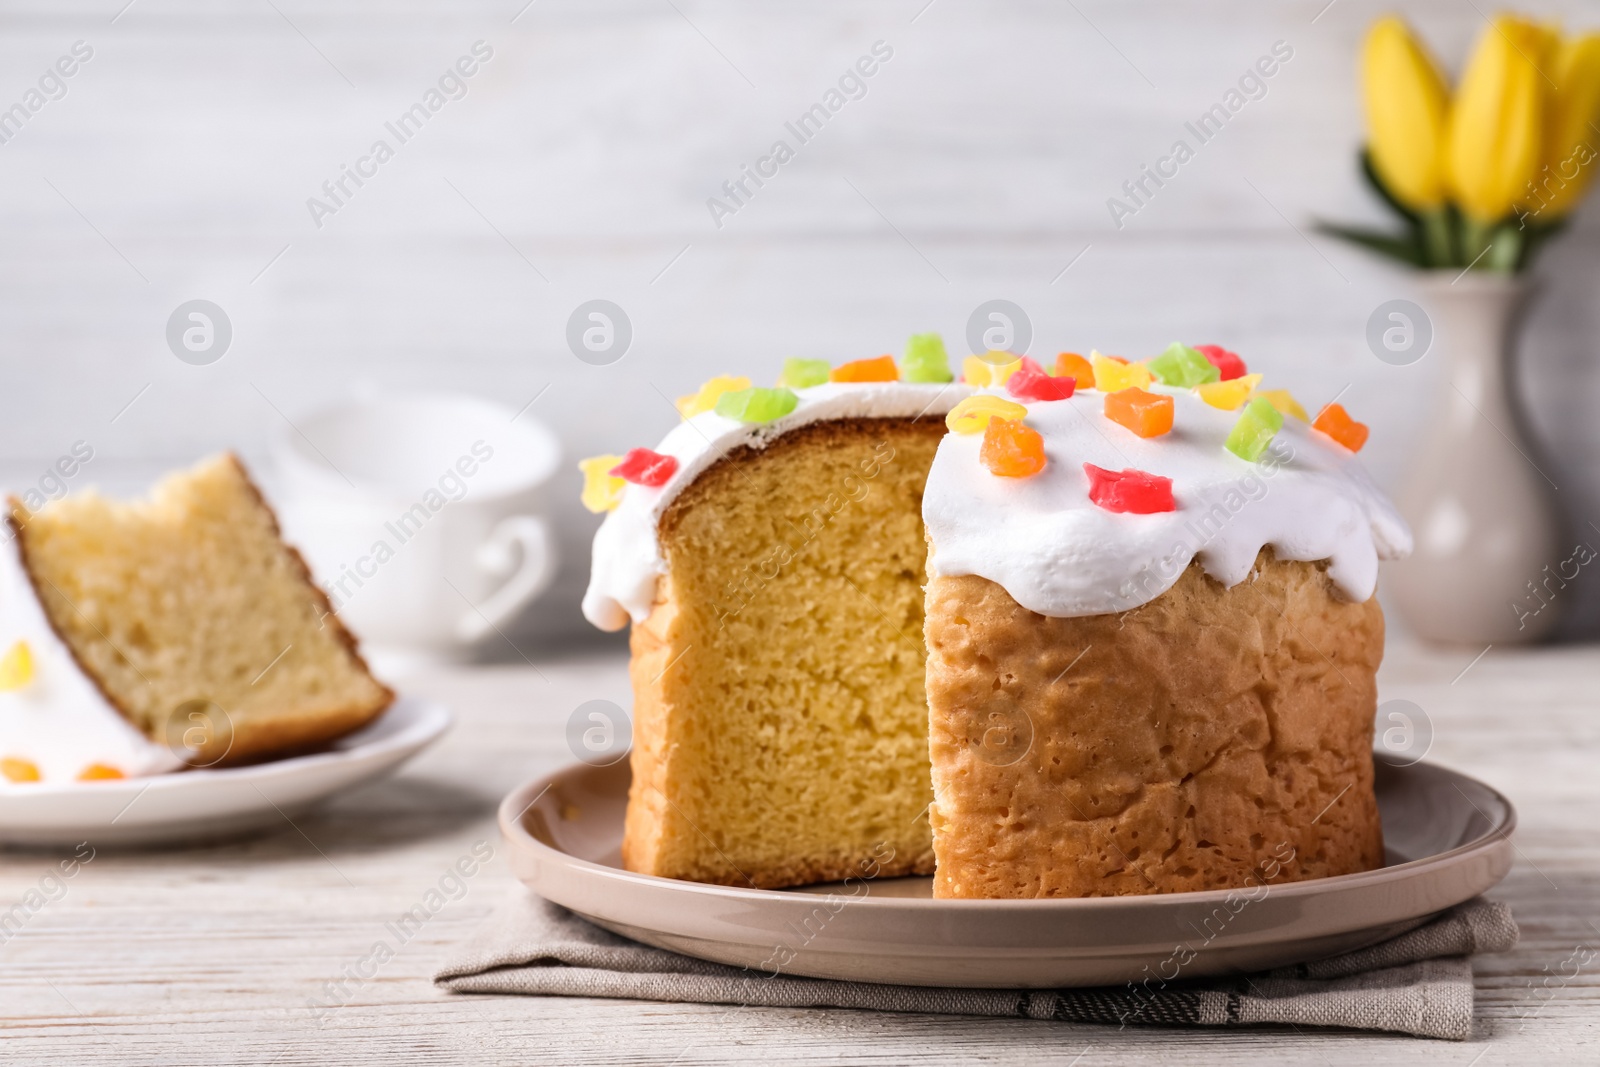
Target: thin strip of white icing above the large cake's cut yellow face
point(626, 554)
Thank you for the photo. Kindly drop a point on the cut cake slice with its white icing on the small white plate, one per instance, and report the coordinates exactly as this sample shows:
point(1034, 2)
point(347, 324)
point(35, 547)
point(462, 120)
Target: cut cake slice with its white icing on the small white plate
point(178, 631)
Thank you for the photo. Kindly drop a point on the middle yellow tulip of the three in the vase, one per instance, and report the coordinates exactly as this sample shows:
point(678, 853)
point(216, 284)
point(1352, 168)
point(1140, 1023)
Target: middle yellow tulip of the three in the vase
point(1494, 137)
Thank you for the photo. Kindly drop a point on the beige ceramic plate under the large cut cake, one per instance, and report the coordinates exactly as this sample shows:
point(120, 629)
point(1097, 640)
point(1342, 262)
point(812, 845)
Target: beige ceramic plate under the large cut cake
point(1449, 839)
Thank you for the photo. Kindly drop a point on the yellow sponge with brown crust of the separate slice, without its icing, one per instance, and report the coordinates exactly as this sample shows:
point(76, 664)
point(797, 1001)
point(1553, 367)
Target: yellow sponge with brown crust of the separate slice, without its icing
point(194, 620)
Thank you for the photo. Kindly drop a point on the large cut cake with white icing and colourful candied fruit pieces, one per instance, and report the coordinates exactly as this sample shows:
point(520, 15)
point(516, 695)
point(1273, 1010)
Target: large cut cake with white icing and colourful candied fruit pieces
point(1100, 631)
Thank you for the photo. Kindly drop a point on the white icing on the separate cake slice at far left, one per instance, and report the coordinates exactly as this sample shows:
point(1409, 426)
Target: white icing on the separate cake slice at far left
point(60, 721)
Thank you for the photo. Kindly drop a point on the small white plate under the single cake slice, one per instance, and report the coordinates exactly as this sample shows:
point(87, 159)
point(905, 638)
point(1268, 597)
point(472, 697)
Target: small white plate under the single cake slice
point(212, 804)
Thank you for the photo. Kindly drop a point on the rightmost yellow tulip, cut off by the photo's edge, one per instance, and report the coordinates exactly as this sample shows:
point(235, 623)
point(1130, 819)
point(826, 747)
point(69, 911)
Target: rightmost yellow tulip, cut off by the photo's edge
point(1570, 138)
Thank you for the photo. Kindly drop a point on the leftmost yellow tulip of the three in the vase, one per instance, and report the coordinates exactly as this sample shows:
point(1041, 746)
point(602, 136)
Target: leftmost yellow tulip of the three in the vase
point(1407, 106)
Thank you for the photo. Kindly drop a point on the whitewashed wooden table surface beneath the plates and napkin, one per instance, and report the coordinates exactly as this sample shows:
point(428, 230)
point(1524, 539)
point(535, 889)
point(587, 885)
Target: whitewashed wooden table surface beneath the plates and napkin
point(212, 956)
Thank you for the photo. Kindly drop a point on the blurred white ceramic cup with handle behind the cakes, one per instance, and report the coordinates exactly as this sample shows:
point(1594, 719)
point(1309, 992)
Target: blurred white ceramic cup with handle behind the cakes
point(420, 516)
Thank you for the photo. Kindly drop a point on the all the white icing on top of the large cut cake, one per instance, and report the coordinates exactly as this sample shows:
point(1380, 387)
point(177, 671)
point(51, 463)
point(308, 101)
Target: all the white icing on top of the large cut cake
point(1042, 538)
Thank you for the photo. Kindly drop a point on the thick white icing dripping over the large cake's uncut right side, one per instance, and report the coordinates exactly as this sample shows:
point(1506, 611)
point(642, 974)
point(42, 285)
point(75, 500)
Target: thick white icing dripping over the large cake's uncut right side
point(1060, 554)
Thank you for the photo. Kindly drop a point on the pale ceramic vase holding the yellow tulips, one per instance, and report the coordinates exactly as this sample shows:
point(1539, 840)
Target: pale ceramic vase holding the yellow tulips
point(1481, 498)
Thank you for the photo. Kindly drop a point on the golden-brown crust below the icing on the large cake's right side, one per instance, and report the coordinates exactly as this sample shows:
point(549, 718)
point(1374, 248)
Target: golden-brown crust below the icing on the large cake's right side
point(1214, 738)
